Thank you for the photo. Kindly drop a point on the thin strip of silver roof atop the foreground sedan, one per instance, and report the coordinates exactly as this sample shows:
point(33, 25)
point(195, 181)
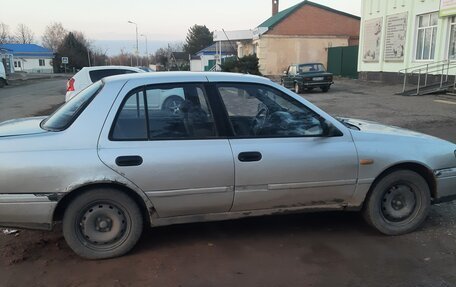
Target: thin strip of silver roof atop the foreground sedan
point(167, 77)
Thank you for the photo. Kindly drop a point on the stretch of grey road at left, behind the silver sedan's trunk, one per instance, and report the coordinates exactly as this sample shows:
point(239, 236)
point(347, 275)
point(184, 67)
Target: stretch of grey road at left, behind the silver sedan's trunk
point(31, 97)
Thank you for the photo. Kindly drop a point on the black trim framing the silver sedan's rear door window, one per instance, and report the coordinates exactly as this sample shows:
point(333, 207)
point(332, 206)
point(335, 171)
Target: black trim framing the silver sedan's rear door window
point(143, 88)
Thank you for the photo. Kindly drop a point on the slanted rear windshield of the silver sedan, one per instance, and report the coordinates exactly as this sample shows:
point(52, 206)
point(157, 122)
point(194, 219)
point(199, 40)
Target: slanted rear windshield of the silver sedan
point(66, 114)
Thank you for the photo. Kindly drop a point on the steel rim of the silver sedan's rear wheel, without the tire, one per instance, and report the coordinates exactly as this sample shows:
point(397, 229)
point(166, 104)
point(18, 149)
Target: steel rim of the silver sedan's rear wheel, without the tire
point(103, 226)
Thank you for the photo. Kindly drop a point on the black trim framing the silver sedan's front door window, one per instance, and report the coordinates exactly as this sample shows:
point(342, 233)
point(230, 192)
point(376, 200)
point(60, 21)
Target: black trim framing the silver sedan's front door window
point(286, 96)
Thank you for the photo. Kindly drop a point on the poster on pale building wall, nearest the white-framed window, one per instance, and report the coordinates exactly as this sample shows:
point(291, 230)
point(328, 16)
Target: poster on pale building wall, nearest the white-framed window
point(396, 32)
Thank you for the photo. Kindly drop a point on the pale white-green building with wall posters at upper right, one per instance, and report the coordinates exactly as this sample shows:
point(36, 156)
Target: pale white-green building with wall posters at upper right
point(407, 34)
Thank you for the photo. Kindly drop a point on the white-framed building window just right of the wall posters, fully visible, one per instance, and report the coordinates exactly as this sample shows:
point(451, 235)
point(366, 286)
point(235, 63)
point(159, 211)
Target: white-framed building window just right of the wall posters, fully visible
point(426, 36)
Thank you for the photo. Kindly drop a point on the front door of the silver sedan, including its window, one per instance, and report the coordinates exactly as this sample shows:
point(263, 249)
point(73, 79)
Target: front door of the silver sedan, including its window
point(283, 159)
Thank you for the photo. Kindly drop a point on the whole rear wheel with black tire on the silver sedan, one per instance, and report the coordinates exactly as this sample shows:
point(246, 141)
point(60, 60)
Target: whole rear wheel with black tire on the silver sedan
point(108, 209)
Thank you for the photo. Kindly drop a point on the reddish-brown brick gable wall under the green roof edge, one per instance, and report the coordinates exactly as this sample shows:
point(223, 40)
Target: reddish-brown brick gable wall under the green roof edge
point(311, 21)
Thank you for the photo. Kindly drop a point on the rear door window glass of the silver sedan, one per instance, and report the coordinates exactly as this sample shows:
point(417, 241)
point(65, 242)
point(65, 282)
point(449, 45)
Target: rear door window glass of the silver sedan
point(165, 112)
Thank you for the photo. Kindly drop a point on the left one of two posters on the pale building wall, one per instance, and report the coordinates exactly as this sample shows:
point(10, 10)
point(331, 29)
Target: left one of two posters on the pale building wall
point(372, 40)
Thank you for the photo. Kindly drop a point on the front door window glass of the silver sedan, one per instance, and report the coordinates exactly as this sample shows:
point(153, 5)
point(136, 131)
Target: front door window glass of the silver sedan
point(261, 111)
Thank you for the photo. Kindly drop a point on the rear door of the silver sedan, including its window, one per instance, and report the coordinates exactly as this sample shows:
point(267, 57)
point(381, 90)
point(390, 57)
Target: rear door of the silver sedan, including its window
point(174, 155)
